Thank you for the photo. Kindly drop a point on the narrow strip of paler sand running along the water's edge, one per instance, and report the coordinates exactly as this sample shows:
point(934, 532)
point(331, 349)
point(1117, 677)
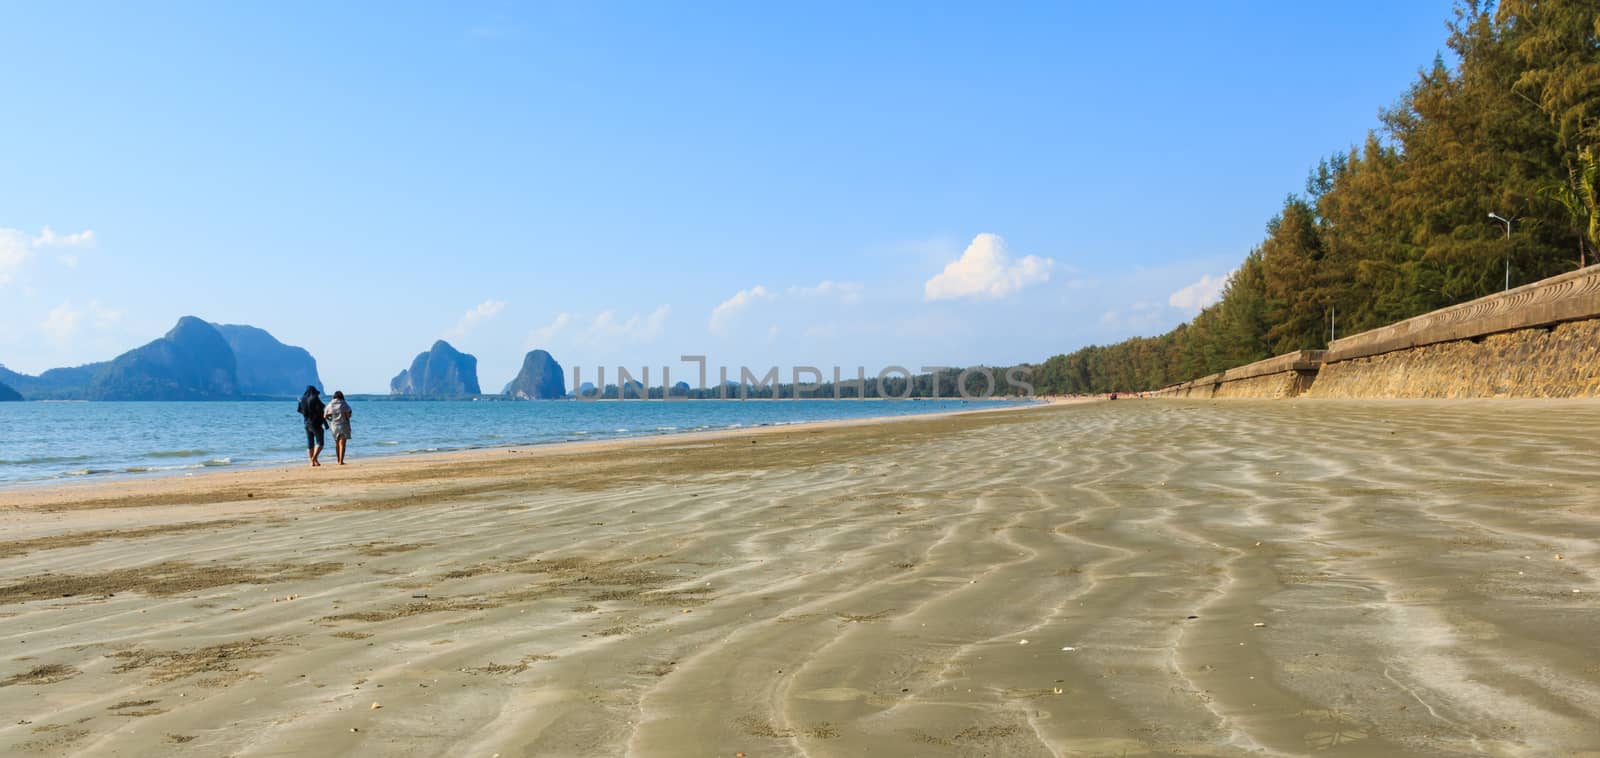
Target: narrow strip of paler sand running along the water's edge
point(49, 493)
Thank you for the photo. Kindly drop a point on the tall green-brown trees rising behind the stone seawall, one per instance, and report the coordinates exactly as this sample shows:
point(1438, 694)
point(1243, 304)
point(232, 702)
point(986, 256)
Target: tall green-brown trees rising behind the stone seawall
point(1401, 226)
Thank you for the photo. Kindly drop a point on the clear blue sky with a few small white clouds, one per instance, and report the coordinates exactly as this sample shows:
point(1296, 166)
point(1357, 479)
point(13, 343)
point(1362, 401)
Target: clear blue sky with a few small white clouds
point(622, 185)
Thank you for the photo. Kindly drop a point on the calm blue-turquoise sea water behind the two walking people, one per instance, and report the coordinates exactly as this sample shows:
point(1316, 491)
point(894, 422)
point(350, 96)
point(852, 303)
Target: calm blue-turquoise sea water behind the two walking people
point(42, 442)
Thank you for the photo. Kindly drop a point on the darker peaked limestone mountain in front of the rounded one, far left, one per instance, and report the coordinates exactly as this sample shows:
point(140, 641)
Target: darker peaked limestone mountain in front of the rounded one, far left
point(191, 362)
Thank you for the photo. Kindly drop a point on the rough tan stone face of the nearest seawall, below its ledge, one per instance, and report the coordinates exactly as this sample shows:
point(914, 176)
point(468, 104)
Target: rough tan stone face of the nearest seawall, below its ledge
point(1556, 362)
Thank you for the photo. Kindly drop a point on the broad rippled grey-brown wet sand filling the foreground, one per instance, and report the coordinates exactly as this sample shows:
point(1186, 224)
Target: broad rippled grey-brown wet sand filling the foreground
point(1132, 578)
